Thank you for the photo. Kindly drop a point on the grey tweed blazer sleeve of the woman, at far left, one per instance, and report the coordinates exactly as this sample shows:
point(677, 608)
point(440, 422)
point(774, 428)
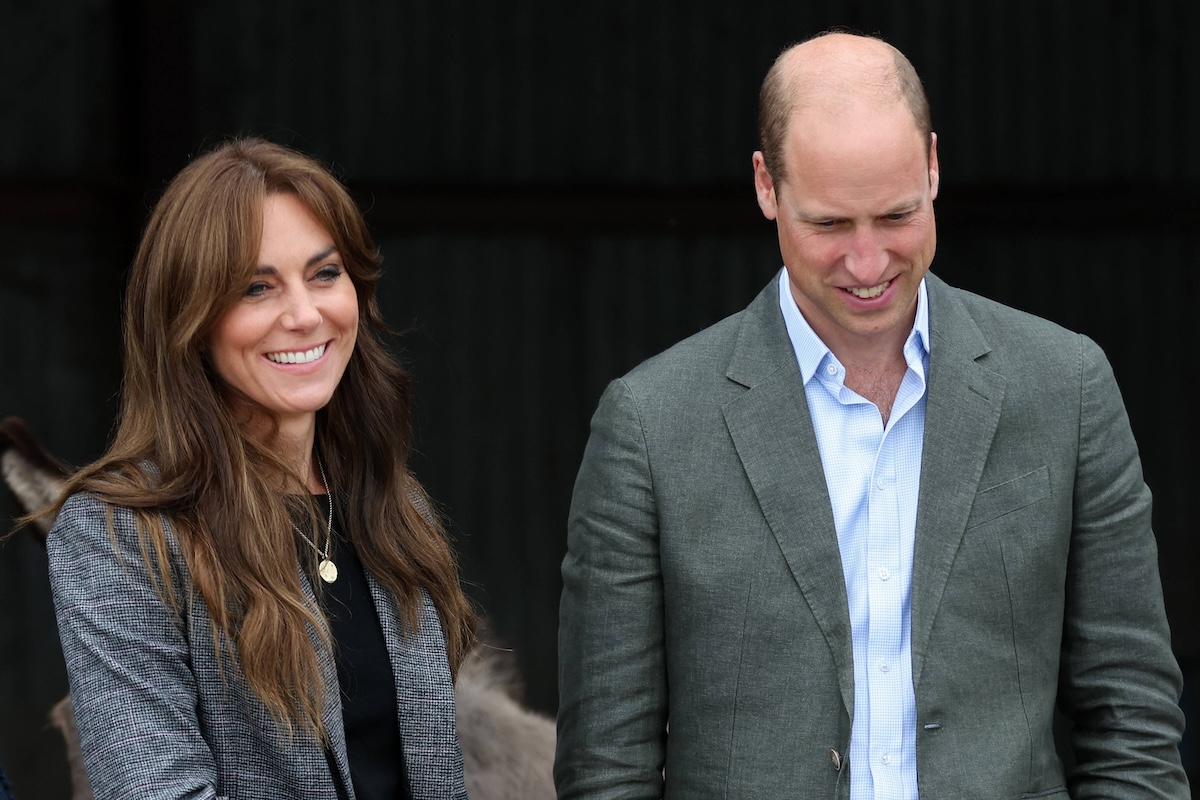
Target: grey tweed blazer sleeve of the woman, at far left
point(128, 661)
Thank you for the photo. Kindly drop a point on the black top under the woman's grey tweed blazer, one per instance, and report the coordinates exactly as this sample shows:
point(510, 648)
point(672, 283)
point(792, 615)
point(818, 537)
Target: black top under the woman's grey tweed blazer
point(364, 672)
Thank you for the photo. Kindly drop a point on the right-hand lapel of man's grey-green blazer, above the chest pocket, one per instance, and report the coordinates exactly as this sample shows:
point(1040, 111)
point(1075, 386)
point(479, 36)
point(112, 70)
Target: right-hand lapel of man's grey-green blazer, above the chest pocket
point(963, 404)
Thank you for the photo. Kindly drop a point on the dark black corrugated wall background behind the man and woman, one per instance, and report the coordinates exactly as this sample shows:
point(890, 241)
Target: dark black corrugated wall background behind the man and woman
point(562, 190)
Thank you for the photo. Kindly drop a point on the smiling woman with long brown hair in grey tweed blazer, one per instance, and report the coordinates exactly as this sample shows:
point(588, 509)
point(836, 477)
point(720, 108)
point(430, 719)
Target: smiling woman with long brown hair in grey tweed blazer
point(254, 598)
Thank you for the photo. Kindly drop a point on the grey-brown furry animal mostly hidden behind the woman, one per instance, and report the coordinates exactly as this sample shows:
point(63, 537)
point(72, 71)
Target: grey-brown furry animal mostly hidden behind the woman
point(508, 750)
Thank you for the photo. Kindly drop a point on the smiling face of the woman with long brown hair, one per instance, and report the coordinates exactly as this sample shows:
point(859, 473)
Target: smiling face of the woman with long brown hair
point(287, 342)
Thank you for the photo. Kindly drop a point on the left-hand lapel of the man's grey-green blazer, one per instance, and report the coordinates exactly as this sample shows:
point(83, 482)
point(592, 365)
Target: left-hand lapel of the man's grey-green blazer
point(773, 436)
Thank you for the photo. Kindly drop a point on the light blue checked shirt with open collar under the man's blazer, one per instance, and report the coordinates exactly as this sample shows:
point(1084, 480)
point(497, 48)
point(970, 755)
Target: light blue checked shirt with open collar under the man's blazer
point(873, 473)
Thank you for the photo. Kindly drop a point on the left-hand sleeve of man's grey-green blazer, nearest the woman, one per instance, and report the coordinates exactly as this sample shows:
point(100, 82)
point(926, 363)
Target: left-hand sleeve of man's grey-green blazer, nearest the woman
point(613, 712)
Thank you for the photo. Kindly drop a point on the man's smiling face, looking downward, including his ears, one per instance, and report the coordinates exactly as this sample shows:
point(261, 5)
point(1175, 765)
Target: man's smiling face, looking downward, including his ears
point(856, 227)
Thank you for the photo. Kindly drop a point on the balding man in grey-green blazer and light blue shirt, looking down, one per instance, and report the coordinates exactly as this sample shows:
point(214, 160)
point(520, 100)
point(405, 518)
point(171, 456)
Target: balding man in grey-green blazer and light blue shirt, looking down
point(859, 540)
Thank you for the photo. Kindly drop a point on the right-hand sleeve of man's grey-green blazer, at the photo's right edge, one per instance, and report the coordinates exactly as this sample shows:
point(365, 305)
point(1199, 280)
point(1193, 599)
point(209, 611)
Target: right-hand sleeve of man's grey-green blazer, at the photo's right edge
point(1120, 683)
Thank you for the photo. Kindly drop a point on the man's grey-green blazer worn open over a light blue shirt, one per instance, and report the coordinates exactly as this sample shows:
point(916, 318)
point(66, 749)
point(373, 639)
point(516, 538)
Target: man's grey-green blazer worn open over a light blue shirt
point(705, 643)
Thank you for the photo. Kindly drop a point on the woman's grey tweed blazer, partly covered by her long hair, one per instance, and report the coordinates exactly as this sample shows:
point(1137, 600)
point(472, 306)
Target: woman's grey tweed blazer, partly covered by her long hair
point(164, 714)
